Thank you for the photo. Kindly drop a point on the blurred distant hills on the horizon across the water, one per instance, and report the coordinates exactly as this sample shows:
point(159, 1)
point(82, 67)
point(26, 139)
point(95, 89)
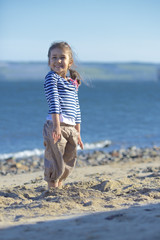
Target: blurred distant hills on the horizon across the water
point(17, 71)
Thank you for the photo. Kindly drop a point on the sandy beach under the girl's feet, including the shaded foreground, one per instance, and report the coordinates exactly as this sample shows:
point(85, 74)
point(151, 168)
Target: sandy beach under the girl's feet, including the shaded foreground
point(119, 199)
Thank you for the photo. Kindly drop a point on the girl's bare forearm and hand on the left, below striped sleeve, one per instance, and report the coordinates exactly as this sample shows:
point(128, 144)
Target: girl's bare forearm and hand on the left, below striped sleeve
point(57, 128)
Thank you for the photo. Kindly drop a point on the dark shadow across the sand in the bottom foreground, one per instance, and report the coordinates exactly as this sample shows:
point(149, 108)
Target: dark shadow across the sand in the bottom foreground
point(137, 223)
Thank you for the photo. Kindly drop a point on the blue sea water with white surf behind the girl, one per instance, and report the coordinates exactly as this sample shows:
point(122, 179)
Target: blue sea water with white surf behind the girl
point(121, 113)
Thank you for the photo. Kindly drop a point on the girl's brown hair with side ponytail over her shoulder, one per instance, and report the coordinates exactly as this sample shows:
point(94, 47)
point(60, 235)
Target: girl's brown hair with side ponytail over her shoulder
point(64, 45)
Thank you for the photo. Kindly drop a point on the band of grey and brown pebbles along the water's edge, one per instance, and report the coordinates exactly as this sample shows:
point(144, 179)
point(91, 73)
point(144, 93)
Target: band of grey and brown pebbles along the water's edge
point(95, 158)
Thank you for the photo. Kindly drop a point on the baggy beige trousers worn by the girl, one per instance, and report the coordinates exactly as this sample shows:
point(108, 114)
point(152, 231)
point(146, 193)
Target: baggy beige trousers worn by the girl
point(60, 157)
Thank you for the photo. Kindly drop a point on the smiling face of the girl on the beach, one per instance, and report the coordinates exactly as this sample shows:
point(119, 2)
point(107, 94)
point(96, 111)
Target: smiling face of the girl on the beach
point(59, 61)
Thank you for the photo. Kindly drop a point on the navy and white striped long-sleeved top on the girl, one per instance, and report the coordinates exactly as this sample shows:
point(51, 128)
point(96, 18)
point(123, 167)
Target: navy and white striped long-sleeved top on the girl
point(62, 96)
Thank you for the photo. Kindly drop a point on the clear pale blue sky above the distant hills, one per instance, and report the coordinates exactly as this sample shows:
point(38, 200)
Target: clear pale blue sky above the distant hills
point(97, 30)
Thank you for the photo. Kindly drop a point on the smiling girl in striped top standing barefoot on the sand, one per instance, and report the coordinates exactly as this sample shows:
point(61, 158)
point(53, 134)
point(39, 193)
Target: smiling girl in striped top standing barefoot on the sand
point(62, 129)
